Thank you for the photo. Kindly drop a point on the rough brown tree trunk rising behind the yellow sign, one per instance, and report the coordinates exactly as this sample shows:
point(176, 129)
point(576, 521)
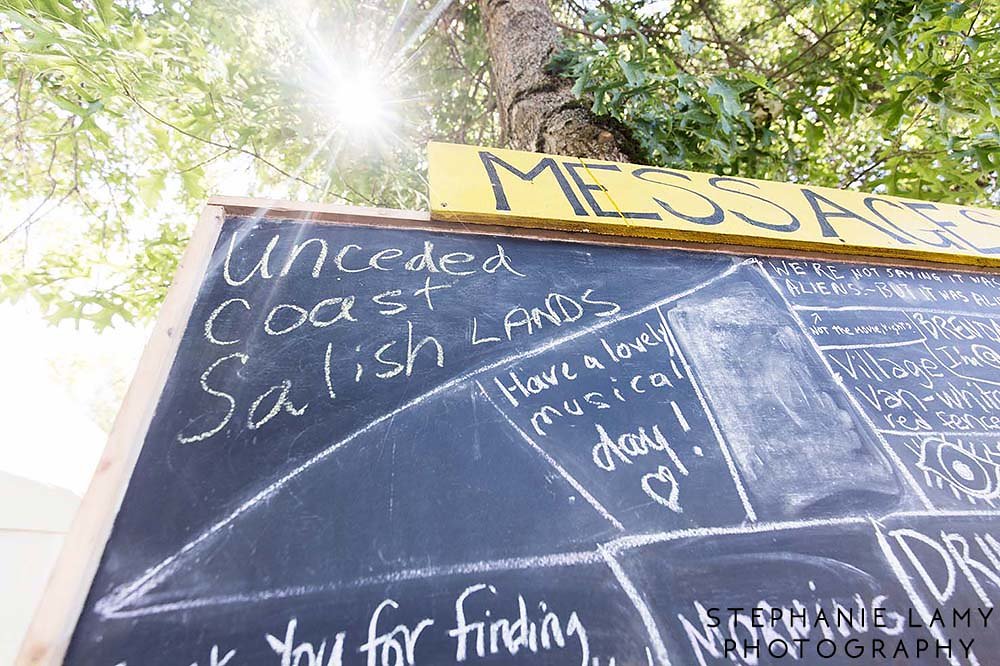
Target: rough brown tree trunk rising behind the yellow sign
point(538, 111)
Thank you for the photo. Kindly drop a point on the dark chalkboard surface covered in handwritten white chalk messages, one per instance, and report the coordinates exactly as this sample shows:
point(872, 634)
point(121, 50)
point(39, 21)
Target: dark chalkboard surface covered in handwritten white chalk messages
point(402, 445)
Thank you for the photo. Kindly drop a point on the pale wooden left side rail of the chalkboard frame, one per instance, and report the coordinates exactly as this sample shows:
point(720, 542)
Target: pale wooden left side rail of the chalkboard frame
point(56, 615)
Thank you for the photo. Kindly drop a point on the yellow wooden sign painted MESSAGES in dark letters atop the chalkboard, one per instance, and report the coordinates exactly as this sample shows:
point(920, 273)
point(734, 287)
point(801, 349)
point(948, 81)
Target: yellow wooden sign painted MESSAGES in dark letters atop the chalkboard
point(494, 186)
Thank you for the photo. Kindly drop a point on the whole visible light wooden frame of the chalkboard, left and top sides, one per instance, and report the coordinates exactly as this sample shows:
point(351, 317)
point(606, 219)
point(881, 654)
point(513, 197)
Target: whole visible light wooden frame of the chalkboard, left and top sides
point(56, 617)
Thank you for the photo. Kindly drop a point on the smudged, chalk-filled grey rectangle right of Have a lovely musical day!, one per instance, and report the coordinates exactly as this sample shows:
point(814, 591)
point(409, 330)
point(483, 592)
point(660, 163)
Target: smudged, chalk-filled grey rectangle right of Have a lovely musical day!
point(797, 442)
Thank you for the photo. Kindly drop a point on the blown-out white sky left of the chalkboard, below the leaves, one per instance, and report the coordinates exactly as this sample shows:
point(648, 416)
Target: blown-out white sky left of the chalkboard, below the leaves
point(63, 385)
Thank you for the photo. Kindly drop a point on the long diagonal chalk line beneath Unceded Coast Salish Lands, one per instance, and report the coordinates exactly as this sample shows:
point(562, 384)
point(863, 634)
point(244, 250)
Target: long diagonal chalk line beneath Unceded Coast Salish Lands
point(128, 593)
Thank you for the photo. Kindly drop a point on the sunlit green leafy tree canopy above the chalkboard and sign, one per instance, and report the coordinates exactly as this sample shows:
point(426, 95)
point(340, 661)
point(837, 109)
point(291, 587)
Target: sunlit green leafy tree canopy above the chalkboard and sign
point(116, 118)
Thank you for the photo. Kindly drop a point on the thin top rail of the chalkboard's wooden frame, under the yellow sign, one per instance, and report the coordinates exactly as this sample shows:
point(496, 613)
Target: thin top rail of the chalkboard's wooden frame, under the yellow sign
point(533, 229)
